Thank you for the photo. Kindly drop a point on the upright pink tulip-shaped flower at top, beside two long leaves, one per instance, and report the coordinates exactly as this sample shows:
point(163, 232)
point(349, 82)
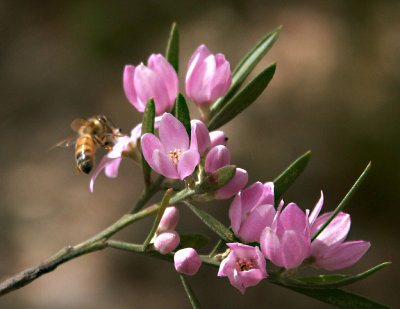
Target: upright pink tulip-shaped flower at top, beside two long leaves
point(208, 76)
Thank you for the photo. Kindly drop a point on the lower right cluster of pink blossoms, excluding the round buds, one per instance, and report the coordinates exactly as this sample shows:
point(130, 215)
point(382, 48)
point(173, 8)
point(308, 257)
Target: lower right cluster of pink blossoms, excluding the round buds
point(284, 237)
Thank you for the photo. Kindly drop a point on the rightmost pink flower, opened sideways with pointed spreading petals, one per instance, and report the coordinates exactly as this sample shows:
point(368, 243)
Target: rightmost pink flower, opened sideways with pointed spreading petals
point(328, 250)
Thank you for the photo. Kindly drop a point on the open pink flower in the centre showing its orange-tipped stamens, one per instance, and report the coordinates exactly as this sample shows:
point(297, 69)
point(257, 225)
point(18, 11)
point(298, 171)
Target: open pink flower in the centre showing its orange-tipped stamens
point(170, 155)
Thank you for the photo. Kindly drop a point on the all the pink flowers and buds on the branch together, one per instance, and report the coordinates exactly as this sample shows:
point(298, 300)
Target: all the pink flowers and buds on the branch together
point(286, 236)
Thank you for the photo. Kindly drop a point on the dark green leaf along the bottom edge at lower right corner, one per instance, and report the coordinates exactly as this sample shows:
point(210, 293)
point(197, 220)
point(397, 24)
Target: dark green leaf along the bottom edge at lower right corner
point(341, 298)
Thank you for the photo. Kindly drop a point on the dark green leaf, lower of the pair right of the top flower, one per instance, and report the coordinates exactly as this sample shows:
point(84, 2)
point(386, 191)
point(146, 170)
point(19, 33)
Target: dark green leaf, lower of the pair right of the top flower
point(243, 99)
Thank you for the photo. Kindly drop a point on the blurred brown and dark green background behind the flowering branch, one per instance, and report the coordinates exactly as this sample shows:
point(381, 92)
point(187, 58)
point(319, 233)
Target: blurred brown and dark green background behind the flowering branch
point(336, 92)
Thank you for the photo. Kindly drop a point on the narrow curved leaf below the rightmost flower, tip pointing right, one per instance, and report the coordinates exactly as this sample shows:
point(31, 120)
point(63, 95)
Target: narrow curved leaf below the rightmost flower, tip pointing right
point(335, 281)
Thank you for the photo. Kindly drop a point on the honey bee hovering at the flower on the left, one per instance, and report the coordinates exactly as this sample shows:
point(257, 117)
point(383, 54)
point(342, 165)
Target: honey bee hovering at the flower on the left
point(97, 131)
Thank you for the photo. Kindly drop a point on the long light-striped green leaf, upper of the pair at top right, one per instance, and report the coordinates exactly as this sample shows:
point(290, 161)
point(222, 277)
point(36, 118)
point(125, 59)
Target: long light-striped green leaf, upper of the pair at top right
point(245, 67)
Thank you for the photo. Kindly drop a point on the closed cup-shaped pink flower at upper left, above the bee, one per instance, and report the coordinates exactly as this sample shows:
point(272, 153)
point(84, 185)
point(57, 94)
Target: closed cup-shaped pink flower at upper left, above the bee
point(157, 80)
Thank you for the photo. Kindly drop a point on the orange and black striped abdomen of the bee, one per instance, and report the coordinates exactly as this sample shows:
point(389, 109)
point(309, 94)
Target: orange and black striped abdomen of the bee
point(84, 153)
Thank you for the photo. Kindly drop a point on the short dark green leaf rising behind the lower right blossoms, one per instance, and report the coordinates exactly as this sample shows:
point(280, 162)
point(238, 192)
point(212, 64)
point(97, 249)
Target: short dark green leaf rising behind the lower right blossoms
point(286, 179)
